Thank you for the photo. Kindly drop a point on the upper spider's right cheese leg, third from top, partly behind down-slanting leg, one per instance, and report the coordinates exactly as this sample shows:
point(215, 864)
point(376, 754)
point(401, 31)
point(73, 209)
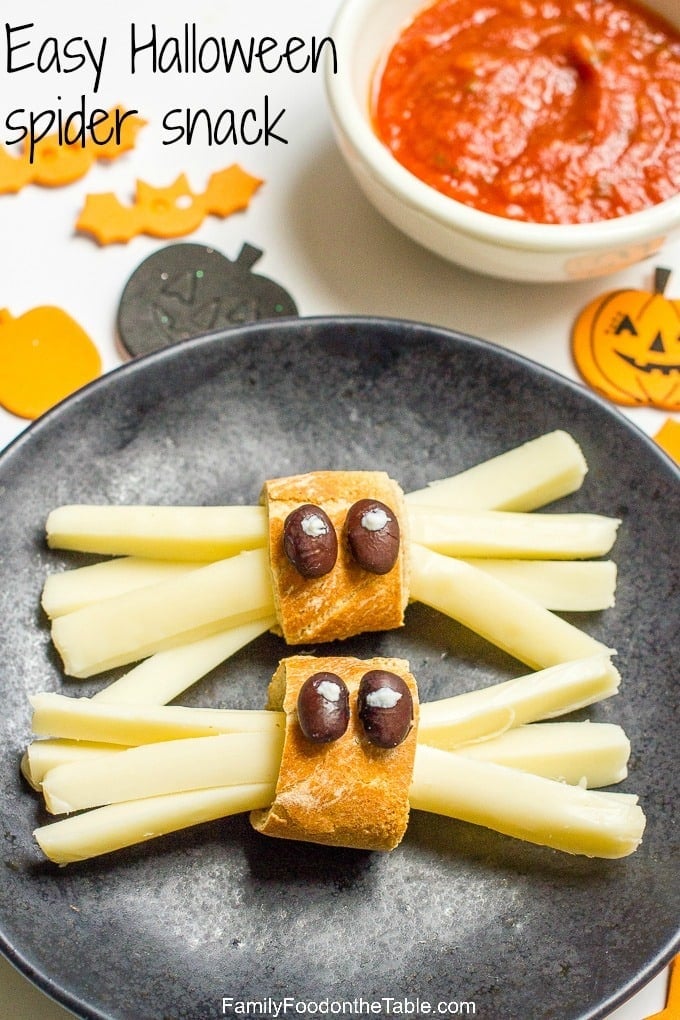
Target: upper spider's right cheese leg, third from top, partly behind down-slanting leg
point(562, 586)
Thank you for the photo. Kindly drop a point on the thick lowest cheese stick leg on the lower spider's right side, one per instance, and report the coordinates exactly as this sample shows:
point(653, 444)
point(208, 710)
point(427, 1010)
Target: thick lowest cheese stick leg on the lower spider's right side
point(526, 806)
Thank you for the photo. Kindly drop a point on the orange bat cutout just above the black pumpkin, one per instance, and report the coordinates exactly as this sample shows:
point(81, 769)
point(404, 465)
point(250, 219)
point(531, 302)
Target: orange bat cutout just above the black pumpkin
point(167, 213)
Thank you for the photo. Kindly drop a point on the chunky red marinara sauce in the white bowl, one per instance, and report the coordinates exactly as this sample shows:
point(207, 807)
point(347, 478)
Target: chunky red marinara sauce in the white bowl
point(554, 112)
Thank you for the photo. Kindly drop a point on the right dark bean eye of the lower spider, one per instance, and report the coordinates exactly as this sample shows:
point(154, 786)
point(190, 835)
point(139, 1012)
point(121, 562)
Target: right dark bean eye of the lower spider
point(386, 708)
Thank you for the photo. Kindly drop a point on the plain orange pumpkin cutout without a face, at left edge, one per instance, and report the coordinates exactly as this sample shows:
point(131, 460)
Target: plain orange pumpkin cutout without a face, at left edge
point(44, 358)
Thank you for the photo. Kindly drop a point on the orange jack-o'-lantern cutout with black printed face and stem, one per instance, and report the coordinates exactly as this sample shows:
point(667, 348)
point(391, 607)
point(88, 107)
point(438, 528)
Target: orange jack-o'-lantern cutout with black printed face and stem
point(626, 345)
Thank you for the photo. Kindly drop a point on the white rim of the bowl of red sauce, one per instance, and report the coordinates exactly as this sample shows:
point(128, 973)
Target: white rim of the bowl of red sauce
point(352, 123)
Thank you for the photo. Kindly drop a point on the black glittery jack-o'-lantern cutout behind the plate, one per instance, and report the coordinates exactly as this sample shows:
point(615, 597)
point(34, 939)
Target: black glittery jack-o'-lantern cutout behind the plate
point(187, 290)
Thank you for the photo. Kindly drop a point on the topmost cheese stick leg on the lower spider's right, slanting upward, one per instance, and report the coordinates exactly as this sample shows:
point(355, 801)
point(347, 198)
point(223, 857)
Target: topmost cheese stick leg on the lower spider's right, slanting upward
point(478, 716)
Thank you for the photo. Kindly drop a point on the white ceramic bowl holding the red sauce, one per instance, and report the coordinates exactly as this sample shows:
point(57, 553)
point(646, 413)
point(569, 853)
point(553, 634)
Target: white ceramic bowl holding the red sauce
point(363, 31)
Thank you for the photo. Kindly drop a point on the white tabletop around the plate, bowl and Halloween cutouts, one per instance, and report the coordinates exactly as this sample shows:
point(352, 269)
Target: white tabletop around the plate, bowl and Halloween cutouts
point(321, 238)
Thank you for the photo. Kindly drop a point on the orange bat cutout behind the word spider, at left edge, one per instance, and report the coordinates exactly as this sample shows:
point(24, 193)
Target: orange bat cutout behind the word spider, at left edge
point(55, 164)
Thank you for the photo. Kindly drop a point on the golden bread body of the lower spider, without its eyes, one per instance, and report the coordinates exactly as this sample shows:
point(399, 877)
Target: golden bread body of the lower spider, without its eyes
point(348, 793)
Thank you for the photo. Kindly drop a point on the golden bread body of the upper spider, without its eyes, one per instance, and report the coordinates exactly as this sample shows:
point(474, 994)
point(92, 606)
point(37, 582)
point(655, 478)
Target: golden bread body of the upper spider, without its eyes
point(349, 600)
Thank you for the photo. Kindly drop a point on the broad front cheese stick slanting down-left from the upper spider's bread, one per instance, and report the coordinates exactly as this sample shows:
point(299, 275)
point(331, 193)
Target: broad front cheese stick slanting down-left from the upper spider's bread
point(139, 624)
